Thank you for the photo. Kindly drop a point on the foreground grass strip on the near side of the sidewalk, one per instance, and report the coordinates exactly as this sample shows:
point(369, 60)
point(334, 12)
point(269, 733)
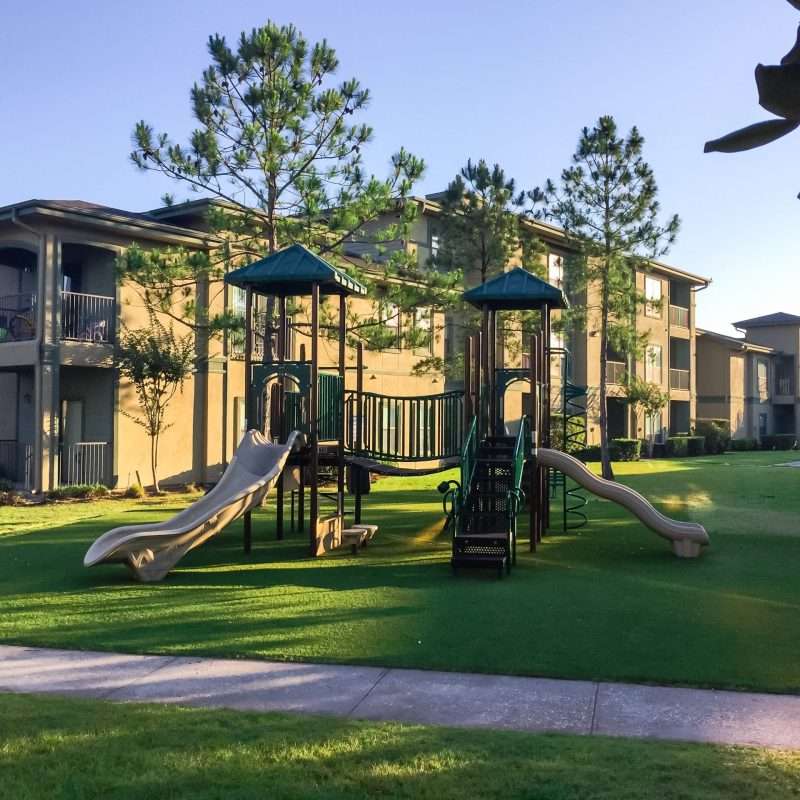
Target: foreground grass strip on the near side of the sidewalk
point(57, 748)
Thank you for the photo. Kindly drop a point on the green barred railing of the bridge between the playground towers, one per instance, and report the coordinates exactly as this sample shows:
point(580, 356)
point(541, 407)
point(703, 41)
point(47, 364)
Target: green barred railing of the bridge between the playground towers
point(405, 428)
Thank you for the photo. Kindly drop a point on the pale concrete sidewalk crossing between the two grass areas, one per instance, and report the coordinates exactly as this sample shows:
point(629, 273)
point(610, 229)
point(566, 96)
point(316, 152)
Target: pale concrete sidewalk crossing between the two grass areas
point(436, 698)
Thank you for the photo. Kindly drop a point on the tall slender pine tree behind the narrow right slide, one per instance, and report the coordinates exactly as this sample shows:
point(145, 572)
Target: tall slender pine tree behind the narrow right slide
point(607, 204)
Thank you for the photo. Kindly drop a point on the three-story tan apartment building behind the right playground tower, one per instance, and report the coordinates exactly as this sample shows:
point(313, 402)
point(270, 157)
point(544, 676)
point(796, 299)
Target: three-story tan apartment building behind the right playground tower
point(668, 318)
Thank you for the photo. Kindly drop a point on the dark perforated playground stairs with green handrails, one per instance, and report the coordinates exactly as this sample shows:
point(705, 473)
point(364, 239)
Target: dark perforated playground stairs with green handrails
point(486, 516)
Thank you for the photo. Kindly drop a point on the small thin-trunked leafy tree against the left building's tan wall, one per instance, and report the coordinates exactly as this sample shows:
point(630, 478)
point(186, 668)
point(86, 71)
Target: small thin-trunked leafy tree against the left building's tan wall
point(156, 362)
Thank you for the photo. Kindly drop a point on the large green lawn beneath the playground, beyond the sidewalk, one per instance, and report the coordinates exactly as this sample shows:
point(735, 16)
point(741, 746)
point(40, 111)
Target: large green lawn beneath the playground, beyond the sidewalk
point(608, 602)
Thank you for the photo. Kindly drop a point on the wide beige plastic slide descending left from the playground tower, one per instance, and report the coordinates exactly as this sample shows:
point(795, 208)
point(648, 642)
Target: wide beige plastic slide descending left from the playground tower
point(151, 551)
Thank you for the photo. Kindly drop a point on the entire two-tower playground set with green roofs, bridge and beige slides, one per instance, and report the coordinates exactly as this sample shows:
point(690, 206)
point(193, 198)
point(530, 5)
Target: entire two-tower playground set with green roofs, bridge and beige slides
point(322, 430)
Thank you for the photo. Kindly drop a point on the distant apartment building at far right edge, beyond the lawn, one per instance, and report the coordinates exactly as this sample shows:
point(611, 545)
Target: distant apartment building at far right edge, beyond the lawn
point(751, 381)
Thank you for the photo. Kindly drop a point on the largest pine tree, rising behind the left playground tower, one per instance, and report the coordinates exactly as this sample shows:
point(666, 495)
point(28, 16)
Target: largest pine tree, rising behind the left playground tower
point(276, 144)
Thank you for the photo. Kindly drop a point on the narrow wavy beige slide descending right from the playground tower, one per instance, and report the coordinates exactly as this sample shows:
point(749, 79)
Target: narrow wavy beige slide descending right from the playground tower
point(686, 537)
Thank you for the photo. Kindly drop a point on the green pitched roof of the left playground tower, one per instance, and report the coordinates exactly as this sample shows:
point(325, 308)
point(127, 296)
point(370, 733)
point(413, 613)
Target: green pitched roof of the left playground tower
point(292, 271)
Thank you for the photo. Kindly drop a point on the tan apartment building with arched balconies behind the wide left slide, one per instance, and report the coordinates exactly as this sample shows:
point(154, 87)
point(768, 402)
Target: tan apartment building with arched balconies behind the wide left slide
point(65, 415)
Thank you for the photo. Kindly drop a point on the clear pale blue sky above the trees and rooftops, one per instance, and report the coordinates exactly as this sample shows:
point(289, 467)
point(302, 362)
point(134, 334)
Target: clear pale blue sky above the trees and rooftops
point(510, 81)
